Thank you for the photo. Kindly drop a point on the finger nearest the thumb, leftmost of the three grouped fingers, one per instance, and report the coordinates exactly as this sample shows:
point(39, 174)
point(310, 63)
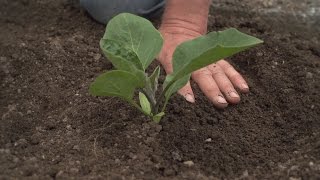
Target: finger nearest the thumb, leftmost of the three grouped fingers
point(207, 84)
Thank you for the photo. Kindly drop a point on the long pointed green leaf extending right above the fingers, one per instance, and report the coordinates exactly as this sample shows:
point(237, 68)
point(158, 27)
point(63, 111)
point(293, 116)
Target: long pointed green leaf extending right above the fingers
point(200, 52)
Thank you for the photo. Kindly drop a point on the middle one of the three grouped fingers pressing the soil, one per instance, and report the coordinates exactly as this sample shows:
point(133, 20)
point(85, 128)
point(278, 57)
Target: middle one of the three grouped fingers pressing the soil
point(224, 83)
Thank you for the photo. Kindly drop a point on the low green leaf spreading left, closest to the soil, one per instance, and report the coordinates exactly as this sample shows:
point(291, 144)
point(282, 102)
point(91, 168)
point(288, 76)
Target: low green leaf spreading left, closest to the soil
point(116, 83)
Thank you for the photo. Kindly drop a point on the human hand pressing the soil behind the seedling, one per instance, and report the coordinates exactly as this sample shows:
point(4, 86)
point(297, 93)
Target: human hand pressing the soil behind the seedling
point(217, 81)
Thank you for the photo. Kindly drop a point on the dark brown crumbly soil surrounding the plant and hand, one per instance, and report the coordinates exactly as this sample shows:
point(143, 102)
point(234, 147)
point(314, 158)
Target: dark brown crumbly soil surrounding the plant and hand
point(51, 128)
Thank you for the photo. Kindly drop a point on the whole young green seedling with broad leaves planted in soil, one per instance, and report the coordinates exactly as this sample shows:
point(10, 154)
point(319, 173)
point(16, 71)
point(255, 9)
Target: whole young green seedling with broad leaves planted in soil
point(131, 43)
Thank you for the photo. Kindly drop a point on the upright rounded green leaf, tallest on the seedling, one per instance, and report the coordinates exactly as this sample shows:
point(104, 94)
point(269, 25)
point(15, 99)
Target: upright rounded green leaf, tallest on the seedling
point(135, 34)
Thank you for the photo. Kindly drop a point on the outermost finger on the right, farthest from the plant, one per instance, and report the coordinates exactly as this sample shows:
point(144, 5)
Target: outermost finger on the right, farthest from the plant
point(235, 77)
